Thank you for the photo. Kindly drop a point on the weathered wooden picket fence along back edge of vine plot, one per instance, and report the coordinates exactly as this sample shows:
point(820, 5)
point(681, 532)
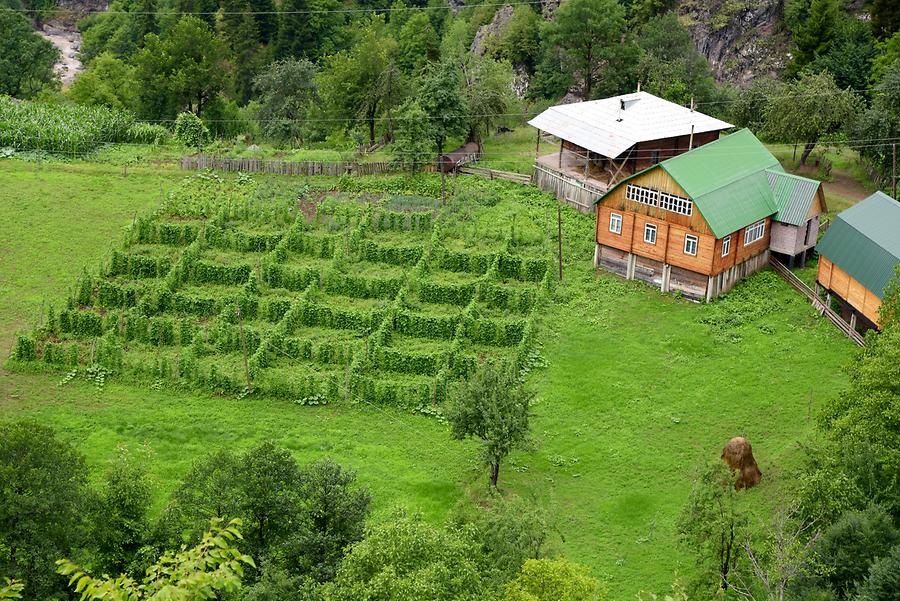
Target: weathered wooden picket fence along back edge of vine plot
point(251, 165)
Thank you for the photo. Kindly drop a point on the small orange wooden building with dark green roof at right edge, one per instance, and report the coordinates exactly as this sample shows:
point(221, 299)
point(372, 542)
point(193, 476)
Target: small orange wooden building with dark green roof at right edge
point(858, 256)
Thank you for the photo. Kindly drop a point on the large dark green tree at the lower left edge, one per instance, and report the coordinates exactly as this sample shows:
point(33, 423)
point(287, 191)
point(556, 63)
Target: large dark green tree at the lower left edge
point(42, 505)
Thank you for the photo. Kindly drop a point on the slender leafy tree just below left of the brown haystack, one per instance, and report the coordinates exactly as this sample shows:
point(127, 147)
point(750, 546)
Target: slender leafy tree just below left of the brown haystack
point(712, 525)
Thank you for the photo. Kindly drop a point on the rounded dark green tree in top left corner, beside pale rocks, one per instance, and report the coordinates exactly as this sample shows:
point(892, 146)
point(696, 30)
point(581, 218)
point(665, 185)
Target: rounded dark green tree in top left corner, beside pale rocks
point(26, 59)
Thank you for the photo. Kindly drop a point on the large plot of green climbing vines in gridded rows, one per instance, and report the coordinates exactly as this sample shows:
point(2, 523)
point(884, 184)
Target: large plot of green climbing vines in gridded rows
point(228, 288)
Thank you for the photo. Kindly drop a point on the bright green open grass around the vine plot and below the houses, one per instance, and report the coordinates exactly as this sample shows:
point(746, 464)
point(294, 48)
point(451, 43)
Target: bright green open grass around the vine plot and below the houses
point(639, 390)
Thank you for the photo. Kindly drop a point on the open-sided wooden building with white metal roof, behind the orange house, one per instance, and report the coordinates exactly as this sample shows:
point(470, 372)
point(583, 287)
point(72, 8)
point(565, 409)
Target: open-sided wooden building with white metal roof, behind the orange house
point(604, 141)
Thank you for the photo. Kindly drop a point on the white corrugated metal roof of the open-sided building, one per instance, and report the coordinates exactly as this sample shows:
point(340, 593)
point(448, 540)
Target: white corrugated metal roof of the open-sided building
point(603, 127)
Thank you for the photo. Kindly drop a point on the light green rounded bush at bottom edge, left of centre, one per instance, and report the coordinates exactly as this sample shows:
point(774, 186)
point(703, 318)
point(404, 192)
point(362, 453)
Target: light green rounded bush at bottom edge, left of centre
point(405, 558)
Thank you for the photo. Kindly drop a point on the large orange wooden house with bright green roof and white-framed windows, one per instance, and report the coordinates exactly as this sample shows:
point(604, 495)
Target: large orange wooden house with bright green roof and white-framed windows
point(698, 222)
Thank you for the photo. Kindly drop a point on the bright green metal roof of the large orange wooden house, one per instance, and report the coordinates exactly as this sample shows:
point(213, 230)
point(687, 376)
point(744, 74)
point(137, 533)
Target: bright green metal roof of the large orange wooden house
point(726, 179)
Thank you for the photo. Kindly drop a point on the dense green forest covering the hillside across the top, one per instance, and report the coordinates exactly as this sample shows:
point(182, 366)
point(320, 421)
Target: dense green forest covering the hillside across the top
point(365, 73)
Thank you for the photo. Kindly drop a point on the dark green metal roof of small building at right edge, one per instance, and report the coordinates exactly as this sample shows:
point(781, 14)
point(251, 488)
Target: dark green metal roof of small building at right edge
point(864, 241)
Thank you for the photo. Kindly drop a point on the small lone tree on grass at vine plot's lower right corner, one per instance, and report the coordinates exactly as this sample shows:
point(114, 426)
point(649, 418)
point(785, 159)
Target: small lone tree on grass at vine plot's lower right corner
point(492, 407)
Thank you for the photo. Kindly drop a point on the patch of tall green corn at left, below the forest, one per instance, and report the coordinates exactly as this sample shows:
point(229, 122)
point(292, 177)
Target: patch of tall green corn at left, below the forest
point(68, 128)
